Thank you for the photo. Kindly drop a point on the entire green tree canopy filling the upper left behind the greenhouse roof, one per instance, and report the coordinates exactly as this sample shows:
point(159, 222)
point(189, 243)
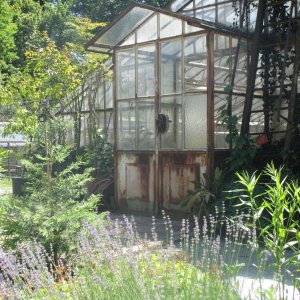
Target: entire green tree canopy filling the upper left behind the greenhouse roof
point(42, 58)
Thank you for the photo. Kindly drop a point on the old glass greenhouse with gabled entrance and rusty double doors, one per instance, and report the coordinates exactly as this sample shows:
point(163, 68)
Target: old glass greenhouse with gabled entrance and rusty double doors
point(173, 72)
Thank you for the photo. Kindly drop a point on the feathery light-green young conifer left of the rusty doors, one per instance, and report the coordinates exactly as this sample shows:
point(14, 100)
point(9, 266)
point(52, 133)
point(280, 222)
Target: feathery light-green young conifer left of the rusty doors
point(52, 209)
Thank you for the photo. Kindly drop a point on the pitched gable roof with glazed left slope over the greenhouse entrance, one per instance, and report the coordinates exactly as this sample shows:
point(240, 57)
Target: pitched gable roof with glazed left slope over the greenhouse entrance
point(133, 16)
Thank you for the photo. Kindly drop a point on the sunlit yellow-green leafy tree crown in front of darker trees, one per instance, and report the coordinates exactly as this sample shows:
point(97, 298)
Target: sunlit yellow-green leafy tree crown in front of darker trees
point(48, 77)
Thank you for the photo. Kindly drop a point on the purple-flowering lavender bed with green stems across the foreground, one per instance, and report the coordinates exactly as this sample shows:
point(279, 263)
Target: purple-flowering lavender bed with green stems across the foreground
point(114, 262)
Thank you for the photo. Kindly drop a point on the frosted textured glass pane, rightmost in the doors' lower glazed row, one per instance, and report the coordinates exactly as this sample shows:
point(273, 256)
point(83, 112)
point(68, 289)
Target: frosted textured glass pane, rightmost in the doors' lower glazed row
point(195, 121)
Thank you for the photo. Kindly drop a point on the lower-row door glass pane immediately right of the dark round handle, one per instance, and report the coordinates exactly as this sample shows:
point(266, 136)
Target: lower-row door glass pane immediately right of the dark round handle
point(172, 107)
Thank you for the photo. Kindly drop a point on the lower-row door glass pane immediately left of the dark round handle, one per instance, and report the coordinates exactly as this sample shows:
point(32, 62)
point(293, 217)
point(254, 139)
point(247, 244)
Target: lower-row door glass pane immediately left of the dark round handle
point(146, 124)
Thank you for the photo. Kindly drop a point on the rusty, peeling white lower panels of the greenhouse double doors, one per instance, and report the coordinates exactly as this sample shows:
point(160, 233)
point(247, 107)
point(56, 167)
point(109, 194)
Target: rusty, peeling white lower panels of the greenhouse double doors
point(136, 180)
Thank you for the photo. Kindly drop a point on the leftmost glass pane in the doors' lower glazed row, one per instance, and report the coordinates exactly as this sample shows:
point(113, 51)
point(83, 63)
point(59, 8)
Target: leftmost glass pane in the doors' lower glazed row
point(126, 125)
